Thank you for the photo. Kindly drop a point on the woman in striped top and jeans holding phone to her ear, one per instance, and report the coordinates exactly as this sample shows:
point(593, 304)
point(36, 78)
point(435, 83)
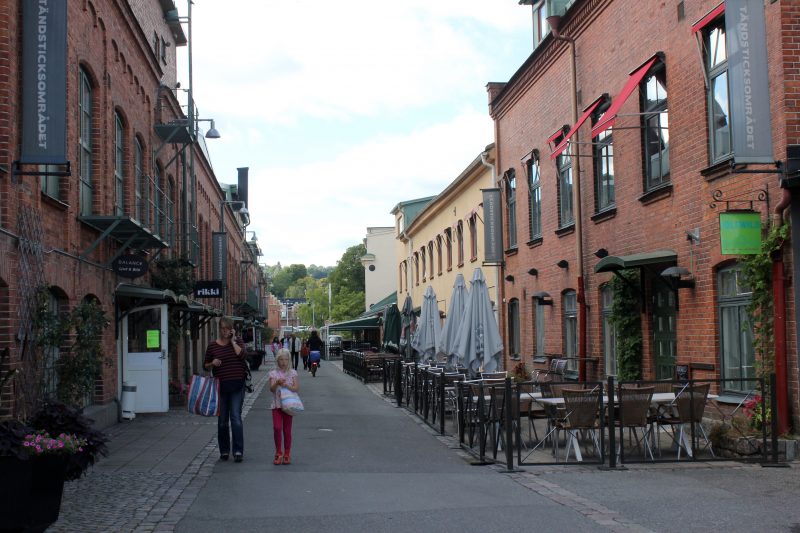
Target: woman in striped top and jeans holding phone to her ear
point(225, 357)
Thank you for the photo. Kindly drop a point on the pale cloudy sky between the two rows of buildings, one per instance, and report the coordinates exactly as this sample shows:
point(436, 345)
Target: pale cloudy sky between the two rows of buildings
point(341, 110)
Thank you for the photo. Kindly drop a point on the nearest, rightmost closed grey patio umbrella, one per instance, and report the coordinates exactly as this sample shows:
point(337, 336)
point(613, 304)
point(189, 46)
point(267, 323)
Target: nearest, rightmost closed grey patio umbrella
point(478, 344)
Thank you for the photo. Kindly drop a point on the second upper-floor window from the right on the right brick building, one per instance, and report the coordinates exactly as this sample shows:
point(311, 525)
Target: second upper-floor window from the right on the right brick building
point(656, 127)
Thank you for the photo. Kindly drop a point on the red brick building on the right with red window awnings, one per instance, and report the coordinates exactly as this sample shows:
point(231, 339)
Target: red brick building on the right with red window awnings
point(670, 131)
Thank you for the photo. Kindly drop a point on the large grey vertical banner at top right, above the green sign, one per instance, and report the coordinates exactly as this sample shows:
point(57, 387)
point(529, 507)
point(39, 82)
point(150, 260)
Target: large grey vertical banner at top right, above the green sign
point(748, 81)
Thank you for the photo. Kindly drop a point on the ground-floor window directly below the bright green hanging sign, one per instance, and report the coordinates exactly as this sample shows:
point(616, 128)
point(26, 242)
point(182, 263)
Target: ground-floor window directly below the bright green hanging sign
point(735, 330)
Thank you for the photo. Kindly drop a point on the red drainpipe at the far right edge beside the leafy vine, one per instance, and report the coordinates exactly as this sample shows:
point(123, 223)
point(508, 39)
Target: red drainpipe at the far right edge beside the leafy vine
point(779, 328)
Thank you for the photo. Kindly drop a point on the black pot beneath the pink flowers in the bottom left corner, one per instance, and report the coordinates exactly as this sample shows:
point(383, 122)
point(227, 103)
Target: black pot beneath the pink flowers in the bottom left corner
point(30, 495)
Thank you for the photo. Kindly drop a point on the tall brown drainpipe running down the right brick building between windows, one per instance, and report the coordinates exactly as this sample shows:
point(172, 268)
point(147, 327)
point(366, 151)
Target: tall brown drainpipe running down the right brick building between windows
point(555, 22)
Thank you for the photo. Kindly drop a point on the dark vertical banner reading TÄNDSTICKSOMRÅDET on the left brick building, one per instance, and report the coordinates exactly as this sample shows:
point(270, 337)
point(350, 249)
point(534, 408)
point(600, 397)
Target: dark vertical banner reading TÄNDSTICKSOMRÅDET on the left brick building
point(44, 82)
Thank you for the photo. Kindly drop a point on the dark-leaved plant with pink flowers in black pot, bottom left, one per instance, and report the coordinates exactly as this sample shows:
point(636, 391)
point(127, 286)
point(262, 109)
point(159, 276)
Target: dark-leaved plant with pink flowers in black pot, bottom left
point(57, 444)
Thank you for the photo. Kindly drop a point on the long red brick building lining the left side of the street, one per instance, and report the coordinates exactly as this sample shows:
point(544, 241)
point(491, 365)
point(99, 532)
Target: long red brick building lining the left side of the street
point(100, 162)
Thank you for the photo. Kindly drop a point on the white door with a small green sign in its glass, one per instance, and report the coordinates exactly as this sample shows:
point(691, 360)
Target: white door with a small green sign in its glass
point(145, 361)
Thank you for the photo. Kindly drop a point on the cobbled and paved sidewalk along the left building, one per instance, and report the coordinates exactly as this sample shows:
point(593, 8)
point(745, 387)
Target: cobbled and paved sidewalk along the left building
point(157, 465)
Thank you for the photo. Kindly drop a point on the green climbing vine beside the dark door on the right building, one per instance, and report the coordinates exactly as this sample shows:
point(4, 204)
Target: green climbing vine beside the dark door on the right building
point(627, 320)
